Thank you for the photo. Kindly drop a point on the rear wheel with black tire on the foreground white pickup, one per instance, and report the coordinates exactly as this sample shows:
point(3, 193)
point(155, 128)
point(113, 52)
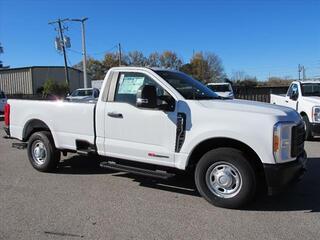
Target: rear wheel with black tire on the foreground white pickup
point(41, 144)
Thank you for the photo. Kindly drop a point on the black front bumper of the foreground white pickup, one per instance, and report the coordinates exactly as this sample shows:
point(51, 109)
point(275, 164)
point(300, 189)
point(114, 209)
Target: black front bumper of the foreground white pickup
point(279, 176)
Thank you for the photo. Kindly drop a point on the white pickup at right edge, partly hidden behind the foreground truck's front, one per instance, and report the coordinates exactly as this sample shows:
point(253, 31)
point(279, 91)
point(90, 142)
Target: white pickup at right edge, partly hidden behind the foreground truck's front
point(304, 97)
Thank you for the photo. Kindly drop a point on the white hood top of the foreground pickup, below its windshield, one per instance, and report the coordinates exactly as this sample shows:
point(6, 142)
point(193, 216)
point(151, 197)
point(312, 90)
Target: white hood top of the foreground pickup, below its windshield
point(250, 107)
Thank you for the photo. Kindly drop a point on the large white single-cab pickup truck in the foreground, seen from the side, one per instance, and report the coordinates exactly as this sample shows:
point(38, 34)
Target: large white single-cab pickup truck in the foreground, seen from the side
point(166, 120)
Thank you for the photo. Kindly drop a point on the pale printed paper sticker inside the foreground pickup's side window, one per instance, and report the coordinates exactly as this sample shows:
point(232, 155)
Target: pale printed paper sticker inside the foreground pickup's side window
point(130, 85)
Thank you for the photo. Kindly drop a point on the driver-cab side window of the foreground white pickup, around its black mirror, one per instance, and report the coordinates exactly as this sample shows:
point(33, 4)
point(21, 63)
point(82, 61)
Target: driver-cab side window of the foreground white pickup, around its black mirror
point(129, 83)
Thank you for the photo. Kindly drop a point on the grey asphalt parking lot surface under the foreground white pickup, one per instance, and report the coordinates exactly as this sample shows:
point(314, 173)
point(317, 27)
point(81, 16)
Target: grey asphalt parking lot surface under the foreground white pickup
point(84, 201)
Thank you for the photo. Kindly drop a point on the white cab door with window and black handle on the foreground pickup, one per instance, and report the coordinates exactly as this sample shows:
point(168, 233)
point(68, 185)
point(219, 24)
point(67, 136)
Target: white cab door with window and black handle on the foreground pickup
point(139, 134)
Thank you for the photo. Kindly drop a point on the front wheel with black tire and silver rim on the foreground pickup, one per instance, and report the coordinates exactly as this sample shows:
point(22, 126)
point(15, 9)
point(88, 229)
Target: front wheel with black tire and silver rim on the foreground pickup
point(235, 165)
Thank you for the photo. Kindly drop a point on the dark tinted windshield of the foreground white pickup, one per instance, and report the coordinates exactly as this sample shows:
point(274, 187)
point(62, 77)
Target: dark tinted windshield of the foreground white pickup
point(188, 87)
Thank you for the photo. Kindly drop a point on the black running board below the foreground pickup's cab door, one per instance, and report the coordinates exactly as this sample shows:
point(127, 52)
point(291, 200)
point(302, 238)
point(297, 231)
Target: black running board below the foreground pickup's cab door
point(140, 171)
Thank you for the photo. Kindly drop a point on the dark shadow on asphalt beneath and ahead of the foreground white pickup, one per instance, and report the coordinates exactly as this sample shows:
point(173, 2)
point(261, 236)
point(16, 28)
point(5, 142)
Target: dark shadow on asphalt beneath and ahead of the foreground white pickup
point(304, 196)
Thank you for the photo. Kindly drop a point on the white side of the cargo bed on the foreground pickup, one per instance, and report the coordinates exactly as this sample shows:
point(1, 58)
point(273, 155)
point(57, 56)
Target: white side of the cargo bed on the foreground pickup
point(68, 121)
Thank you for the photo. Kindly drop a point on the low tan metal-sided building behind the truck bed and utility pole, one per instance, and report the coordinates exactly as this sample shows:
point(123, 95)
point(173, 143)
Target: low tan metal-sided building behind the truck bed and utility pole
point(29, 80)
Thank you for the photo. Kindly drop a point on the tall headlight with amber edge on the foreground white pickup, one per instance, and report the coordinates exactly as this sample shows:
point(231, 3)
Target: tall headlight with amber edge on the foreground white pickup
point(282, 141)
